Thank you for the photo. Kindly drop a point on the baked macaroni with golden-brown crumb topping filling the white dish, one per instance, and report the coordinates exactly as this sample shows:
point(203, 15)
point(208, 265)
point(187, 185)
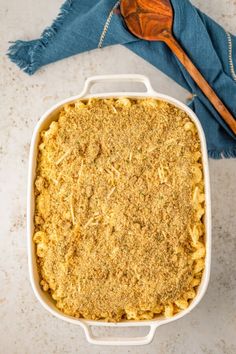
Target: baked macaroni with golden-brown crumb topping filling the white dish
point(119, 198)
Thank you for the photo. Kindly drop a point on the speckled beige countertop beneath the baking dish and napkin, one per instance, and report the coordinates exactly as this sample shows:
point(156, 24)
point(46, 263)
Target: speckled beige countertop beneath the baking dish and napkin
point(25, 327)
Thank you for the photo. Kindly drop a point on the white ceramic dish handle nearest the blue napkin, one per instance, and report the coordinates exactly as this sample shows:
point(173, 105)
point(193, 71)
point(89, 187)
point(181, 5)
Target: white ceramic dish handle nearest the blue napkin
point(117, 78)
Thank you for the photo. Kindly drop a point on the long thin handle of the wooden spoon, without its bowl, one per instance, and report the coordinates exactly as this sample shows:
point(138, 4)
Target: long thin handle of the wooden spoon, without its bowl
point(199, 79)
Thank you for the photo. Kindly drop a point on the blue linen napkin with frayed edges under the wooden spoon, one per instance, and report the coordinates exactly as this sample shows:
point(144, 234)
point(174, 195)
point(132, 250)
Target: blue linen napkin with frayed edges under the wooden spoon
point(83, 25)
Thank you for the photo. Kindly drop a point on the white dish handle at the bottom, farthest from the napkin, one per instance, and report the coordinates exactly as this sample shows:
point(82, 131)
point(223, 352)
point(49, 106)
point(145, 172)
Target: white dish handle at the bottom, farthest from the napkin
point(120, 340)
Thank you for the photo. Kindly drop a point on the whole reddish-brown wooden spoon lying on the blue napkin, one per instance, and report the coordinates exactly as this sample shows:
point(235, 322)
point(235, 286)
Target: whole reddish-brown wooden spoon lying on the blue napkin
point(152, 20)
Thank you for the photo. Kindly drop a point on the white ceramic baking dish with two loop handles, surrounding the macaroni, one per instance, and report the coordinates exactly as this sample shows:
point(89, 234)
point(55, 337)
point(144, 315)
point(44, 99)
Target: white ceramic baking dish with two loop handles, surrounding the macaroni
point(43, 297)
